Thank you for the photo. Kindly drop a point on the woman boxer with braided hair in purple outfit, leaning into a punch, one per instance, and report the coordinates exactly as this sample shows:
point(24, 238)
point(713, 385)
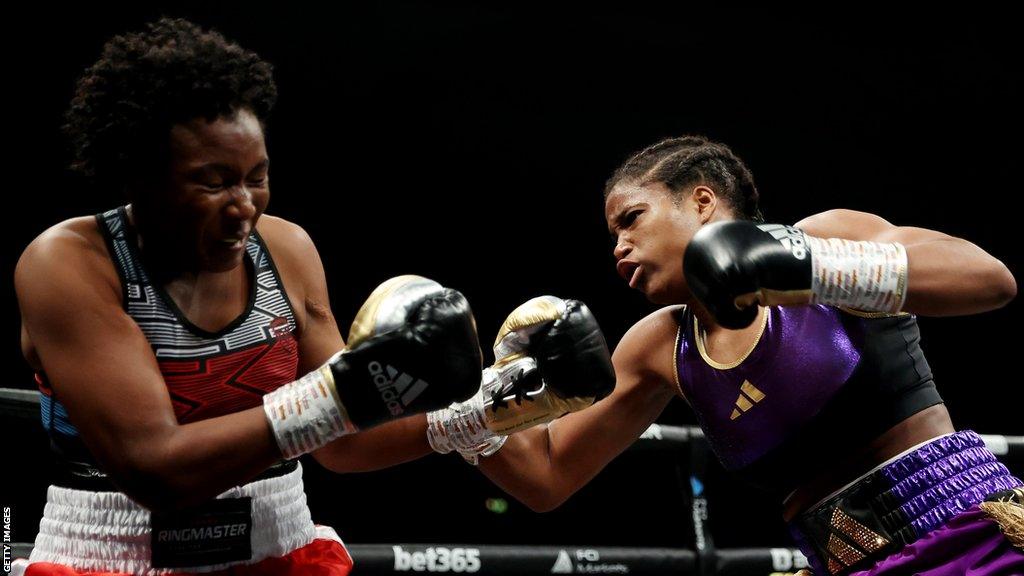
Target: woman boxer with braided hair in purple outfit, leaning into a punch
point(798, 349)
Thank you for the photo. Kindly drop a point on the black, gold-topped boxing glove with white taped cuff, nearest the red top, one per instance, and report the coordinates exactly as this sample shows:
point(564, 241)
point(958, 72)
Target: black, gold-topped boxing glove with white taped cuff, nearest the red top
point(413, 348)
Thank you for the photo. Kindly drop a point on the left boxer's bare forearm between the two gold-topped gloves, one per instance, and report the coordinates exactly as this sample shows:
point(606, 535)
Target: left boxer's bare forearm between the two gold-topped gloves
point(388, 445)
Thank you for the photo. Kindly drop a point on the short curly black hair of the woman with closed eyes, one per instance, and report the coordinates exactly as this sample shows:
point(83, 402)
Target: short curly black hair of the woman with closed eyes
point(146, 83)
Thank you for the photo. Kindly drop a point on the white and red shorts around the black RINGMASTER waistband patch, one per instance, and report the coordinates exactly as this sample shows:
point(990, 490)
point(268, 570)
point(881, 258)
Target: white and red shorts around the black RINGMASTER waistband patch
point(107, 533)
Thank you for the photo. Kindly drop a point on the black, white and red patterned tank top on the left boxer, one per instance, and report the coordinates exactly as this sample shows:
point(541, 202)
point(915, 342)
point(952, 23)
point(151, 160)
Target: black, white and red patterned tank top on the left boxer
point(208, 375)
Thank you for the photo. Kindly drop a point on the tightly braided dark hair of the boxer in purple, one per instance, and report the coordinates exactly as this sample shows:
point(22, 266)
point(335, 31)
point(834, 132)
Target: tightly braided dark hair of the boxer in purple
point(686, 161)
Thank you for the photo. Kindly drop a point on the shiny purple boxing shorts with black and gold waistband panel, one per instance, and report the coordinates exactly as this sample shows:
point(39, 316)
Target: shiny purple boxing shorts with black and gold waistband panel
point(917, 515)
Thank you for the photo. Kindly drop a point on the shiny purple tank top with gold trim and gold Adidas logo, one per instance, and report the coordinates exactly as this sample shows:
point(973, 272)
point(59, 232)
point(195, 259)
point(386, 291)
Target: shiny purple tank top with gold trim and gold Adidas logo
point(803, 357)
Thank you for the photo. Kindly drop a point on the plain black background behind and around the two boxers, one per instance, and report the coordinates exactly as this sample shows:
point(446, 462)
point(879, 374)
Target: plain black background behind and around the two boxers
point(471, 144)
